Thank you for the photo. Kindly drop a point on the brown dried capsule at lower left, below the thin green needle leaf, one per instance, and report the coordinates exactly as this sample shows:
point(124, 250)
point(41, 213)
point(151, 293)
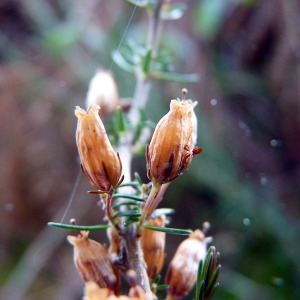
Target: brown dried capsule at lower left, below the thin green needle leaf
point(93, 263)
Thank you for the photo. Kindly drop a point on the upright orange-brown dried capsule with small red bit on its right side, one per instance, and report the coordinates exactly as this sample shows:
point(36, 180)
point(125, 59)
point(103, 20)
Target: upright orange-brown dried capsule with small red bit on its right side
point(172, 145)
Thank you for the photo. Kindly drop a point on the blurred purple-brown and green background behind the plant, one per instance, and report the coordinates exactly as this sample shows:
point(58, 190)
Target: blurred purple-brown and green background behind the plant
point(245, 183)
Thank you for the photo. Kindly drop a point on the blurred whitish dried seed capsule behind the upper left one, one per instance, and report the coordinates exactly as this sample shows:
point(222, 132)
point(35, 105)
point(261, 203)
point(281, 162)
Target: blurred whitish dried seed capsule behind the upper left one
point(104, 92)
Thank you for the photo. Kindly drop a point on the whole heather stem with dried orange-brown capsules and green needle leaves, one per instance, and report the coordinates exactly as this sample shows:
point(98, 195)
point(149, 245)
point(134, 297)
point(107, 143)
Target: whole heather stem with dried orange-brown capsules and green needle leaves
point(109, 133)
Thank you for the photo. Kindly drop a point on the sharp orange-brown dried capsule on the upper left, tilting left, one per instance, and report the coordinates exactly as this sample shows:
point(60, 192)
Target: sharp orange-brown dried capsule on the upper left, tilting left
point(99, 162)
